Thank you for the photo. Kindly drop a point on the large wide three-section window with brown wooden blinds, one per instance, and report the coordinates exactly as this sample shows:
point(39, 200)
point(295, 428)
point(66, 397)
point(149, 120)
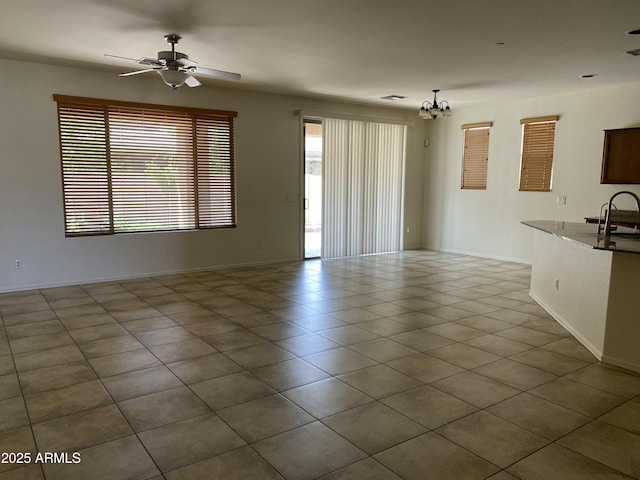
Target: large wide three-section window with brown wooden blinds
point(130, 167)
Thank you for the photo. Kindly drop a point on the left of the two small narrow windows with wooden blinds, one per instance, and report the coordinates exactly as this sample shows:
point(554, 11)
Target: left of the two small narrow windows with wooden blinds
point(475, 160)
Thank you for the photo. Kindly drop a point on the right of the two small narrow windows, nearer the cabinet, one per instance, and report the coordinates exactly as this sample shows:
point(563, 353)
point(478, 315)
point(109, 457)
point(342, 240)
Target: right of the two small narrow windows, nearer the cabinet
point(536, 167)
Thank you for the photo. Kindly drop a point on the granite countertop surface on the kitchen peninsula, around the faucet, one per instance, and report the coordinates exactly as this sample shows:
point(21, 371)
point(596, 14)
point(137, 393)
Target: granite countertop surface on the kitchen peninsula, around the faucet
point(586, 234)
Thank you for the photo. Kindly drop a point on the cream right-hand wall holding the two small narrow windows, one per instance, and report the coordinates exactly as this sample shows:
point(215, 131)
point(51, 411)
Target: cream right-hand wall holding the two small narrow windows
point(487, 223)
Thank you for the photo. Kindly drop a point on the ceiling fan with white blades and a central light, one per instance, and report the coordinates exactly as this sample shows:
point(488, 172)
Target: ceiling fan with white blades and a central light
point(175, 68)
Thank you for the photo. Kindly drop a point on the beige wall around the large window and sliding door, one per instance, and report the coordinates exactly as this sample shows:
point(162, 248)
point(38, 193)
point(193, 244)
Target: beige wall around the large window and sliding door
point(268, 156)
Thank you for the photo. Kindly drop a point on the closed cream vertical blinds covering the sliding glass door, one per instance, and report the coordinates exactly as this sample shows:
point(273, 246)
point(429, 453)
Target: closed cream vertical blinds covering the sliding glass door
point(363, 183)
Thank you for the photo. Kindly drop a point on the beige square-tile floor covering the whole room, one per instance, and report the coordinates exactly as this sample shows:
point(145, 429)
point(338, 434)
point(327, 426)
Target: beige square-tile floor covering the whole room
point(415, 365)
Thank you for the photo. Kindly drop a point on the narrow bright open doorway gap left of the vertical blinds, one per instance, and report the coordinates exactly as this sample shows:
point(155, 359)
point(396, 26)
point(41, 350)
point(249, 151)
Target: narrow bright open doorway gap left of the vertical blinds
point(312, 188)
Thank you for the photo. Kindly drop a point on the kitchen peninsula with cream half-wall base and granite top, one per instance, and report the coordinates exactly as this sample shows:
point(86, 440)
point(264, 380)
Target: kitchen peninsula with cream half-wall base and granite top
point(590, 285)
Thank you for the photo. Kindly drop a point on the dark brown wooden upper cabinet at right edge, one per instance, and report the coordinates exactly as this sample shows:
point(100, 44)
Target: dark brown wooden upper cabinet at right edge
point(621, 156)
